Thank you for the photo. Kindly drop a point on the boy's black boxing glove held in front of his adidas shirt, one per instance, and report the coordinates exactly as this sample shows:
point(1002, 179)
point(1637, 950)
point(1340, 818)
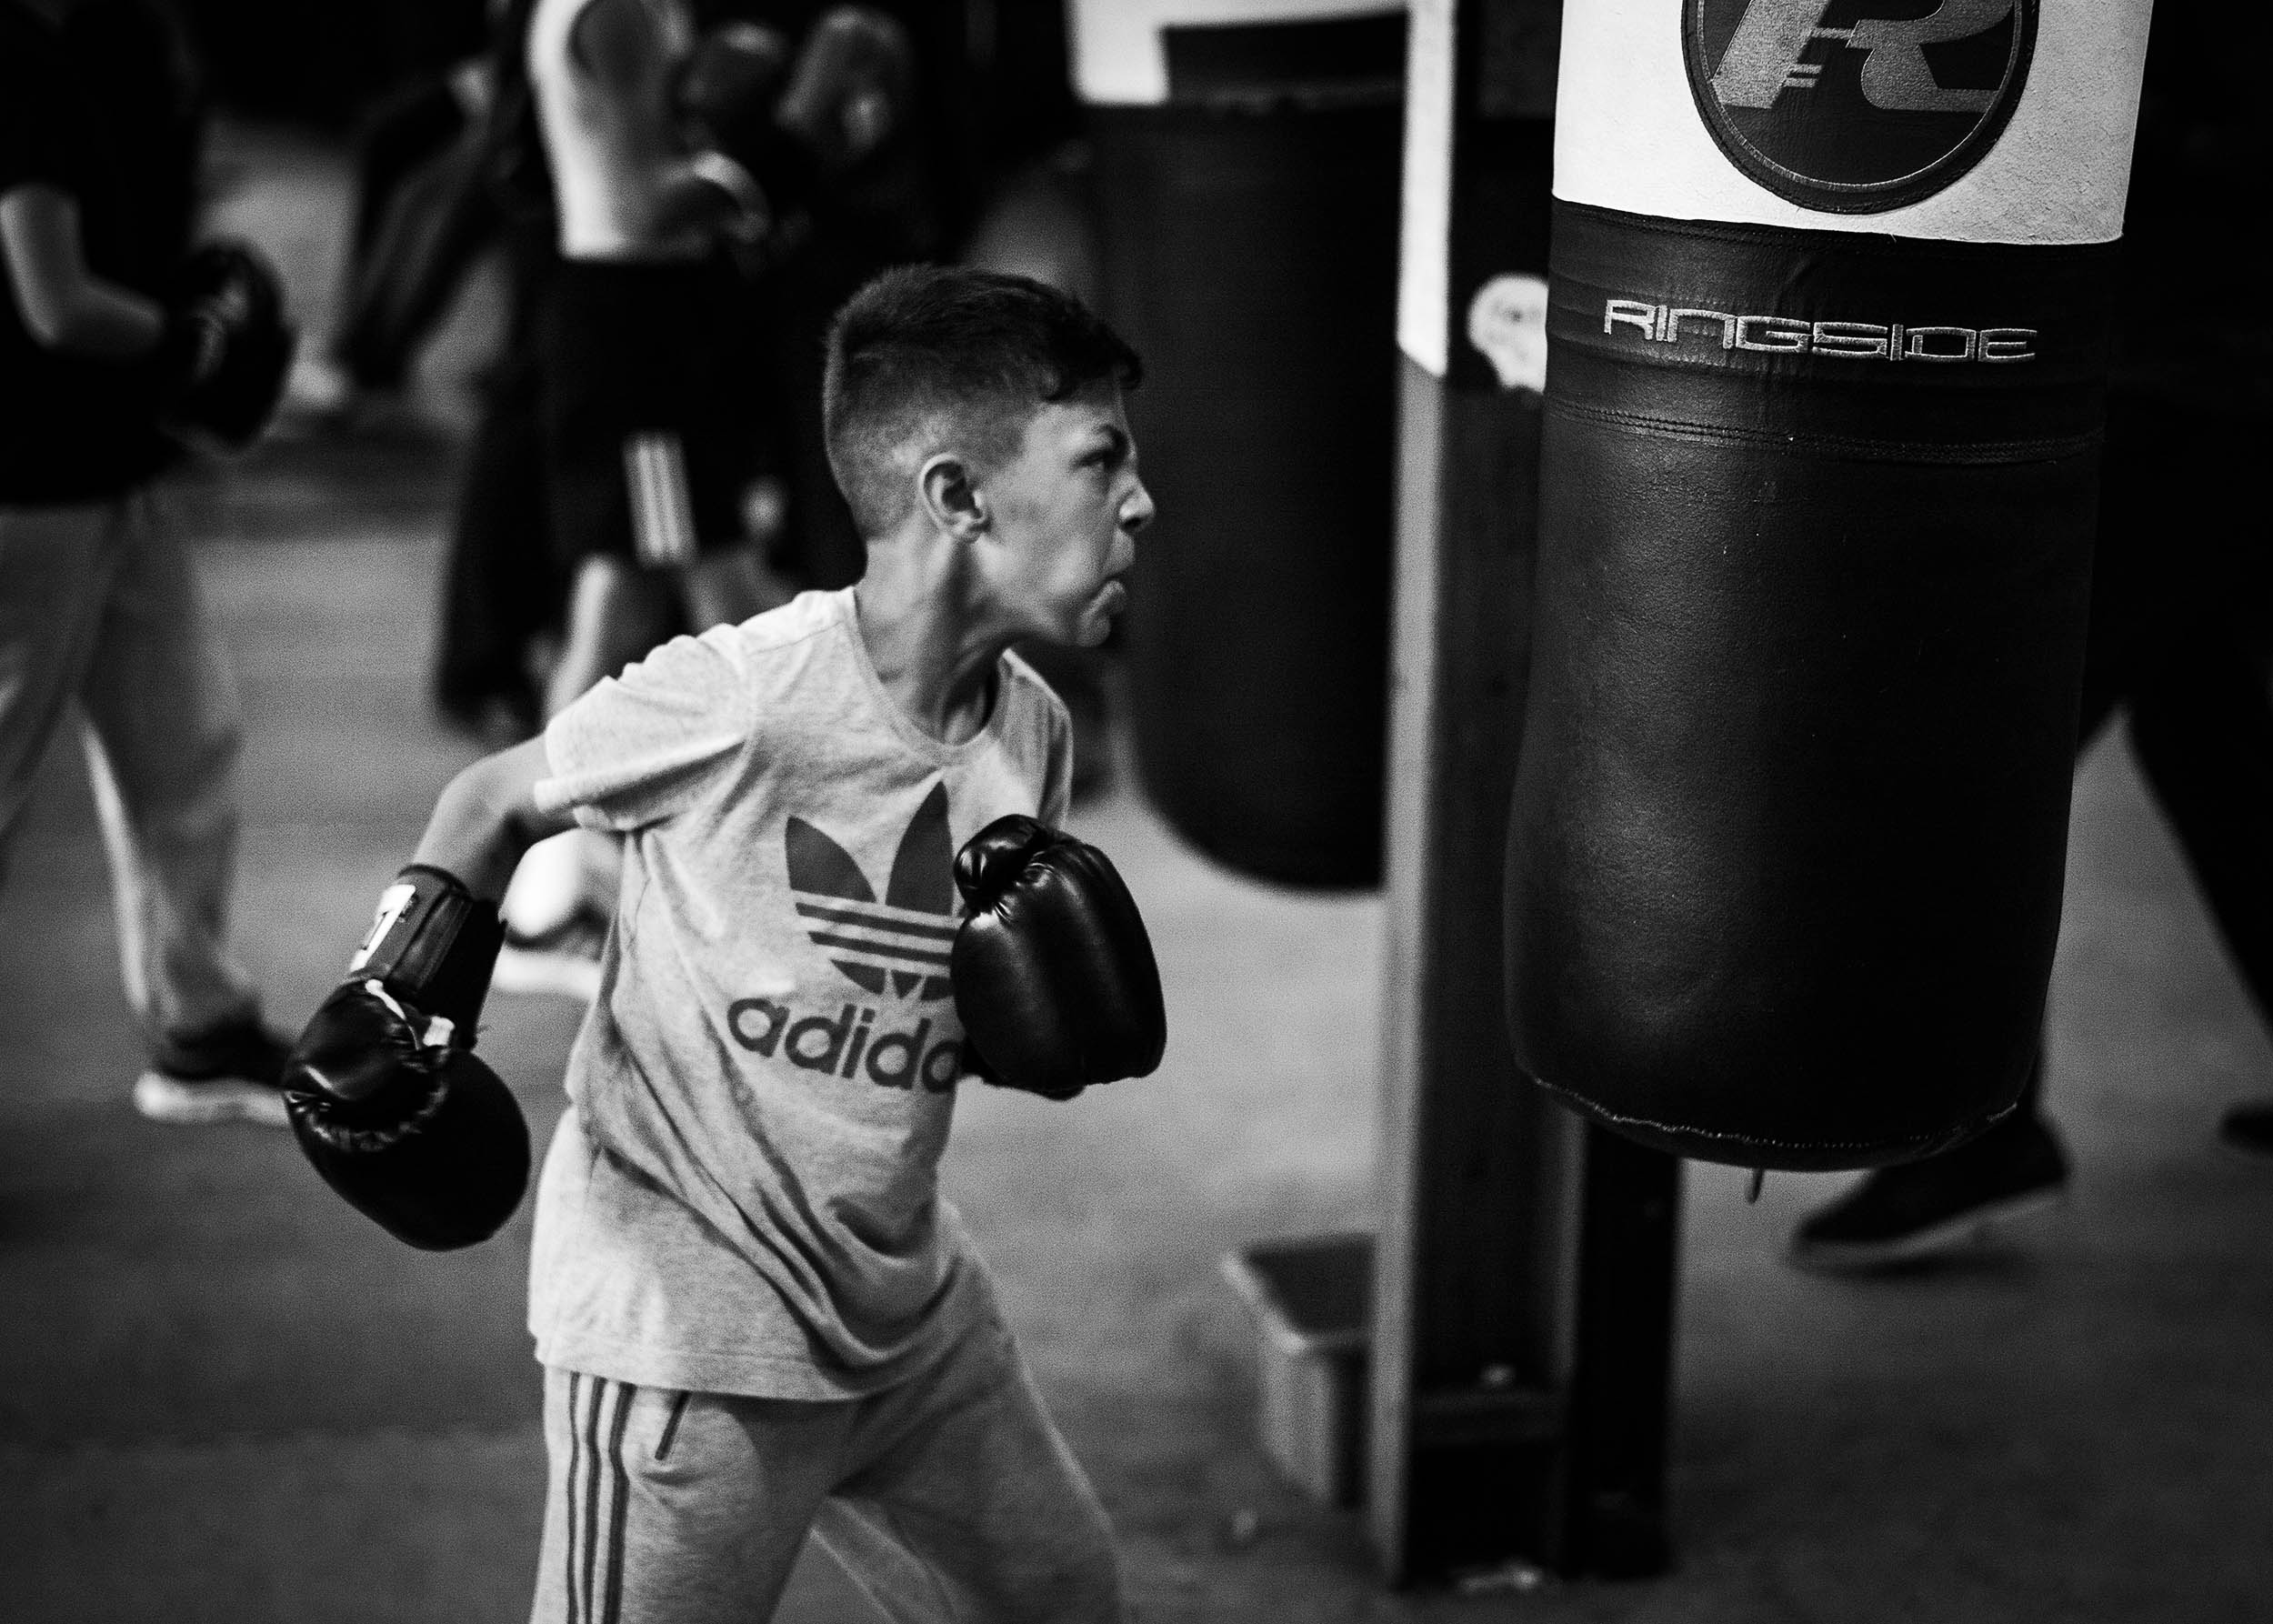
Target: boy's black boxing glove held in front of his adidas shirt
point(1054, 970)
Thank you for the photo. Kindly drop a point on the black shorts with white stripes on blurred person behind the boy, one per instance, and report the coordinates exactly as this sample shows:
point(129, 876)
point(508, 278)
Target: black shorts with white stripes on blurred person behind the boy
point(656, 415)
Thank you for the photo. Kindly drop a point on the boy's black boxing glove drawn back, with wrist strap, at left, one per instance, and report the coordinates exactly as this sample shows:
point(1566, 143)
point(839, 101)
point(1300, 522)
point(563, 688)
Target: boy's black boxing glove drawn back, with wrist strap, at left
point(385, 1093)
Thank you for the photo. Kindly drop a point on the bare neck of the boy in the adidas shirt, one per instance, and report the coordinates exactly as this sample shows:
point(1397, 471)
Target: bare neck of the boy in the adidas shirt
point(926, 638)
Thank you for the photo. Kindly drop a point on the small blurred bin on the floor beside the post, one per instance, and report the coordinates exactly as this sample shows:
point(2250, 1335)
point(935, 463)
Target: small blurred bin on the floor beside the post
point(1313, 1304)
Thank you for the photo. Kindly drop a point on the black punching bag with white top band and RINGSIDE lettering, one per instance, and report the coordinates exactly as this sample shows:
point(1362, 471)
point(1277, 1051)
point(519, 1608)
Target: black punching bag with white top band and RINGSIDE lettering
point(1826, 349)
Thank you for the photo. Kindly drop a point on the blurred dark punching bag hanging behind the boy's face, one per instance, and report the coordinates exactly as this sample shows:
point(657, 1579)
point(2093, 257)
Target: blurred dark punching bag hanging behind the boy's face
point(1247, 176)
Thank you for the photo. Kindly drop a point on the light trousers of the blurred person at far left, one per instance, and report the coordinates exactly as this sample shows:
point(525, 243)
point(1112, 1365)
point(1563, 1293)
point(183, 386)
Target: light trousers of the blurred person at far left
point(101, 618)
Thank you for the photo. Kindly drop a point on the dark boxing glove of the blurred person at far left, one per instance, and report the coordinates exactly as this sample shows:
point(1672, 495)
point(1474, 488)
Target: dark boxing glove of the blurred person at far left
point(226, 347)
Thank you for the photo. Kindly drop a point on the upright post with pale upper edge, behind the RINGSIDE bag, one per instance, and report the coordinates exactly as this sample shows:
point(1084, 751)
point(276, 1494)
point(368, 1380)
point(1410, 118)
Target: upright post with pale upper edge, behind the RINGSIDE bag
point(1524, 1270)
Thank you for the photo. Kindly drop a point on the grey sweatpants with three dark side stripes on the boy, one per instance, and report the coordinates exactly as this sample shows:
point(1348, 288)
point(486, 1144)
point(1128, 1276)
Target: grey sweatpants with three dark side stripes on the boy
point(947, 1498)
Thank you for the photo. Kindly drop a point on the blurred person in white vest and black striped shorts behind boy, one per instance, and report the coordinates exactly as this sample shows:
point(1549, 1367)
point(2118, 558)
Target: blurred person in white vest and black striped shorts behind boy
point(656, 422)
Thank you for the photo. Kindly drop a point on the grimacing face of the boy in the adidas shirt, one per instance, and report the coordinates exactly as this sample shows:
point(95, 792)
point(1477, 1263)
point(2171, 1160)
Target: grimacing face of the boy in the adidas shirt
point(1065, 517)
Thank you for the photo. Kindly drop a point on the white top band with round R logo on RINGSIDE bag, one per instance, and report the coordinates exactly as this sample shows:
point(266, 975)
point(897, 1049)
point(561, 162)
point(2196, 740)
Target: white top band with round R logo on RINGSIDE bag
point(1847, 94)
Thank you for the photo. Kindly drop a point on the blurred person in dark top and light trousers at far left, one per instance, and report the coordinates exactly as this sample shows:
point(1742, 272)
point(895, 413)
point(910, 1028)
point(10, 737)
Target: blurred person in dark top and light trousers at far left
point(115, 342)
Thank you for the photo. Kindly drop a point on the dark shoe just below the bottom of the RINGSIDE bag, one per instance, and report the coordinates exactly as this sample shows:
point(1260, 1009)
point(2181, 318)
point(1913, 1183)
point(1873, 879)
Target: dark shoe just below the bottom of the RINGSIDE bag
point(1935, 1207)
